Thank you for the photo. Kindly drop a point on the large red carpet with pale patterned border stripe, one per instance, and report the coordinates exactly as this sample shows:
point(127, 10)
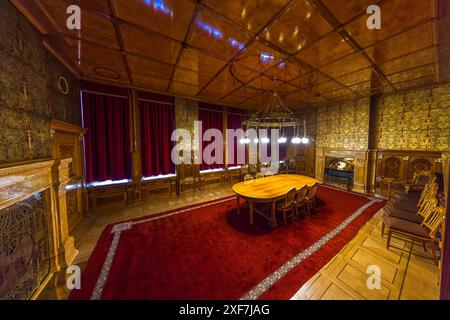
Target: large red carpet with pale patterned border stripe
point(209, 252)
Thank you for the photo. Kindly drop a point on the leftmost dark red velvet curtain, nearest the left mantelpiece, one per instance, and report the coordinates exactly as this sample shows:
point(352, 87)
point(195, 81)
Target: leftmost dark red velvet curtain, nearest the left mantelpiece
point(107, 144)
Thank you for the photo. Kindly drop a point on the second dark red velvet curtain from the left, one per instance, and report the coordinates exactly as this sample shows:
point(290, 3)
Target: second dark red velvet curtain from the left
point(157, 122)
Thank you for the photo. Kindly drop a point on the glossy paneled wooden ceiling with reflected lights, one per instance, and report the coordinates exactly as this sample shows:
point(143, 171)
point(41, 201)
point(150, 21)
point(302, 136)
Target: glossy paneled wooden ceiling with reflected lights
point(188, 48)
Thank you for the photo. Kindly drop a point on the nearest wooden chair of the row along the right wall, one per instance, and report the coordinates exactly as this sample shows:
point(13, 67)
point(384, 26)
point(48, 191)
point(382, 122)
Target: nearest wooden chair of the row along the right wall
point(424, 232)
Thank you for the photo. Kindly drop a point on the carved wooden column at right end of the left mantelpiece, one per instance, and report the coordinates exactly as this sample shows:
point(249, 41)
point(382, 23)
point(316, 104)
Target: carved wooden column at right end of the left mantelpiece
point(65, 243)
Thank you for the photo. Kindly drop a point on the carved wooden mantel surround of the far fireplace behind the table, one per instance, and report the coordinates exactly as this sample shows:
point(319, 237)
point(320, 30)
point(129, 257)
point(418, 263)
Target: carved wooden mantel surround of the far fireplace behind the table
point(360, 165)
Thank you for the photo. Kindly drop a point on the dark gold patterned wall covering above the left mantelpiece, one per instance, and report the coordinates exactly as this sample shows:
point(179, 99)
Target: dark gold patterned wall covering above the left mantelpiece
point(24, 61)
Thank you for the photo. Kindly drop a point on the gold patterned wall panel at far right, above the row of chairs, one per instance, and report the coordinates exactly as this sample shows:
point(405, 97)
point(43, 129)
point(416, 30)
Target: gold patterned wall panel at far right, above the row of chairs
point(419, 120)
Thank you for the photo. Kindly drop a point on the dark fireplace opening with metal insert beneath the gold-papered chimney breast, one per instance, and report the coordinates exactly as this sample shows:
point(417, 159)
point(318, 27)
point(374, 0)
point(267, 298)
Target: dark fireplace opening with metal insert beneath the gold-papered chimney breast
point(339, 172)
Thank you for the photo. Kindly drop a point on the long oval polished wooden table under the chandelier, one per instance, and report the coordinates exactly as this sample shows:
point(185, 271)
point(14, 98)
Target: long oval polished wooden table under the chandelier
point(269, 190)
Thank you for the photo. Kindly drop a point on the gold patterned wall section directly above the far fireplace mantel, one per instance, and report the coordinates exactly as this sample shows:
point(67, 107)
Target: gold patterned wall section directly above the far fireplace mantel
point(344, 126)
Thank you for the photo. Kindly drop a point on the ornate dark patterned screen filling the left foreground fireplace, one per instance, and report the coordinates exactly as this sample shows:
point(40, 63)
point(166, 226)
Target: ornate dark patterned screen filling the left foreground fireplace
point(24, 248)
